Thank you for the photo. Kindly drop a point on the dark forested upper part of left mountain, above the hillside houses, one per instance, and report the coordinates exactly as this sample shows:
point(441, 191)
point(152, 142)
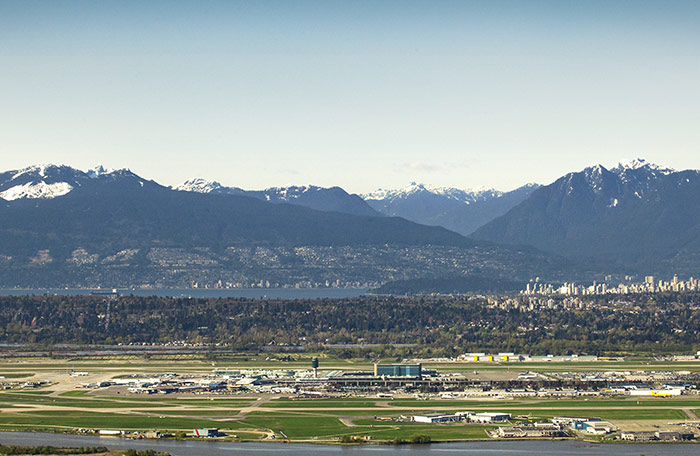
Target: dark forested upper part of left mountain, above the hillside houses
point(61, 203)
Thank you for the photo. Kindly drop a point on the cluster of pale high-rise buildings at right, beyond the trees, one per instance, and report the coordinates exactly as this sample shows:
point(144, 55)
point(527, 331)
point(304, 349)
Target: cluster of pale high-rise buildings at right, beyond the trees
point(649, 285)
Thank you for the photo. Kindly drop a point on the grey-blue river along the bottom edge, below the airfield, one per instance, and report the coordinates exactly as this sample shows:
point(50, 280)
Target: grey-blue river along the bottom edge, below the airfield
point(204, 448)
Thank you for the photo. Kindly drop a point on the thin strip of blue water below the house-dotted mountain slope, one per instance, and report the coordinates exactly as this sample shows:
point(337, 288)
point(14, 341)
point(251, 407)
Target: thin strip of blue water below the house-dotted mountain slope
point(250, 293)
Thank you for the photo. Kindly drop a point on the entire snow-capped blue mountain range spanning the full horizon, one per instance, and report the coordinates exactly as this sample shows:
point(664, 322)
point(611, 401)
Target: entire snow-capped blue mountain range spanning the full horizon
point(60, 226)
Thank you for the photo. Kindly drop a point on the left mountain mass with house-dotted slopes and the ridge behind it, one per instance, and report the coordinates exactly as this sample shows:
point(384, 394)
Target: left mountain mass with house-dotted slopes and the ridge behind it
point(60, 226)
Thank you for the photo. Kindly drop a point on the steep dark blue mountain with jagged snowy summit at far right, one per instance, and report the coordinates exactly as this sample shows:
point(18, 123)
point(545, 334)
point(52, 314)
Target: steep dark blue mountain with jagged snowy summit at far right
point(635, 215)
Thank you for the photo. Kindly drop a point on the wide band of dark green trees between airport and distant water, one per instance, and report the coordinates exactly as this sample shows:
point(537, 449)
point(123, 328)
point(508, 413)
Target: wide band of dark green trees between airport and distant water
point(664, 323)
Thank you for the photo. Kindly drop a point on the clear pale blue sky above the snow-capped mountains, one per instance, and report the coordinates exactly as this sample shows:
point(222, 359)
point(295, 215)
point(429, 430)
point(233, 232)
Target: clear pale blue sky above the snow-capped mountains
point(361, 94)
